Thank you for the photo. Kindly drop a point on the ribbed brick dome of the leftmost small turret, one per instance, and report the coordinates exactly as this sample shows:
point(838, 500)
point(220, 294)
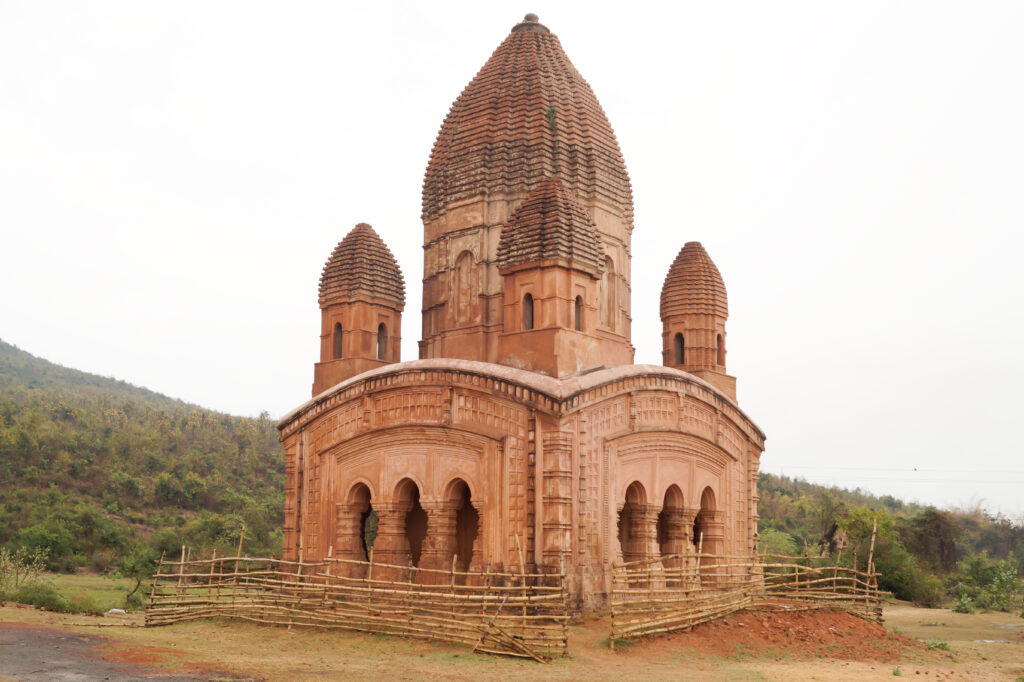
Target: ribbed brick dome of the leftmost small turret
point(362, 263)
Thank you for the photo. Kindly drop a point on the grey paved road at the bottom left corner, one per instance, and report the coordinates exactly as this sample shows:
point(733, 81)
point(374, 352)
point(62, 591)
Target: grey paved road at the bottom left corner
point(40, 653)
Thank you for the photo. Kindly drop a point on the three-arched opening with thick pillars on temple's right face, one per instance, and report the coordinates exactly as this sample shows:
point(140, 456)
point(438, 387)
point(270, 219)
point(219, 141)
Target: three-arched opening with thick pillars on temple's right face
point(651, 531)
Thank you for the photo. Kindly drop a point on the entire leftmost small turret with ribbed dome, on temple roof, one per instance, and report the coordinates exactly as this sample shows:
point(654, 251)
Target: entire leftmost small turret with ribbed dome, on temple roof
point(362, 296)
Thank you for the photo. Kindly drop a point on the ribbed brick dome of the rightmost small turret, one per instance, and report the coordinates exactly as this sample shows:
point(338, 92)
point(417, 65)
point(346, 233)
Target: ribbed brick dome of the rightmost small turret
point(694, 285)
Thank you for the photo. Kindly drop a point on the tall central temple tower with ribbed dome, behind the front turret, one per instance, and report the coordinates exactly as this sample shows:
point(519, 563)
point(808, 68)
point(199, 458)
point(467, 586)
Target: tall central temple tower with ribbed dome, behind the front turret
point(526, 117)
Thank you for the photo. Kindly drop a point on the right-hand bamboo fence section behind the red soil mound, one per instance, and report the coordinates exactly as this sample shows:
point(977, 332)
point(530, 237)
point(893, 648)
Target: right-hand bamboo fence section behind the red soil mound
point(681, 591)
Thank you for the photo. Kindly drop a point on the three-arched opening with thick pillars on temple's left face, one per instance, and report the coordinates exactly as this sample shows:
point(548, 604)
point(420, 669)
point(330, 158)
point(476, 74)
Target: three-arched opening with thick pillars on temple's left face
point(410, 531)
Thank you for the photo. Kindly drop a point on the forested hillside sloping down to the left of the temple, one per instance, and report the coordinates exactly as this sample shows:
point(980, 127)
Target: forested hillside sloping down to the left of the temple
point(94, 471)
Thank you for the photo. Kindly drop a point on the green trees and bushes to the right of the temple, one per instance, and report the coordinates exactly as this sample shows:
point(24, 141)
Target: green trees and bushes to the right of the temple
point(926, 556)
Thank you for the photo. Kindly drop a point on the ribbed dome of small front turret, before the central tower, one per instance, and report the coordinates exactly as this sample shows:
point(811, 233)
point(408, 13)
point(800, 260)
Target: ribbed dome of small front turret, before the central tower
point(551, 225)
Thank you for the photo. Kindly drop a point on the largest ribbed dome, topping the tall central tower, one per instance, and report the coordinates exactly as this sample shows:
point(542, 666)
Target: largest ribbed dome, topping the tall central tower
point(527, 115)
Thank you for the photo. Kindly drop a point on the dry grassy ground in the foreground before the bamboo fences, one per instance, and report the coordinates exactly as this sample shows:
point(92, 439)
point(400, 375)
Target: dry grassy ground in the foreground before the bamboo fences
point(277, 654)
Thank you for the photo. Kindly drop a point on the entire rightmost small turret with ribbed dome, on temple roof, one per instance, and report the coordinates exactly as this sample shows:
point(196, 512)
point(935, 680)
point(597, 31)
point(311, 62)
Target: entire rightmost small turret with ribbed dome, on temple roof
point(695, 309)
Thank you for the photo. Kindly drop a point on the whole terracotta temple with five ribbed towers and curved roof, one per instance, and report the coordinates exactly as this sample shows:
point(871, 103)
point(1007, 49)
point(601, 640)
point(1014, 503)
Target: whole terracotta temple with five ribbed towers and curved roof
point(525, 425)
